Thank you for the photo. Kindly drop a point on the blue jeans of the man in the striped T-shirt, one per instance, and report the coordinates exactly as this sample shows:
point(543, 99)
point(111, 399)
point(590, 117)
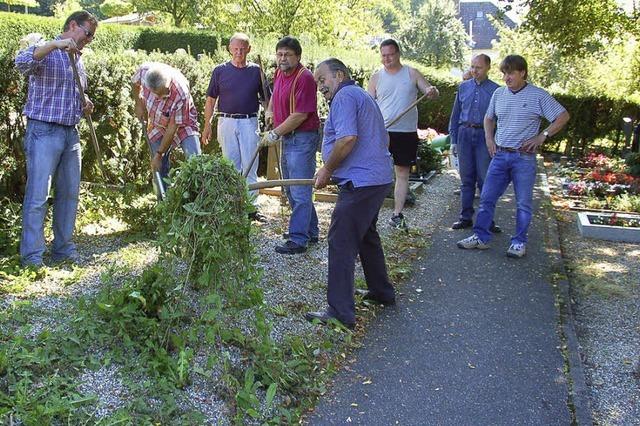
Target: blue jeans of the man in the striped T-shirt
point(516, 167)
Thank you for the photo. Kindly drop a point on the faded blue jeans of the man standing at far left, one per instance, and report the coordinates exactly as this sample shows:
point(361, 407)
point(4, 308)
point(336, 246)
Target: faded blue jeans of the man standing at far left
point(53, 158)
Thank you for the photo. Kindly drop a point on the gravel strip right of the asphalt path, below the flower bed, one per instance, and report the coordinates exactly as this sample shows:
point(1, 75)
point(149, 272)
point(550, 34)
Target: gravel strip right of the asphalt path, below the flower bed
point(605, 287)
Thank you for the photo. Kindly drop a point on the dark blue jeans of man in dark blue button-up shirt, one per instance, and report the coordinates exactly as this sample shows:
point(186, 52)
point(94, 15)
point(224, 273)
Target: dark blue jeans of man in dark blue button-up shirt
point(473, 160)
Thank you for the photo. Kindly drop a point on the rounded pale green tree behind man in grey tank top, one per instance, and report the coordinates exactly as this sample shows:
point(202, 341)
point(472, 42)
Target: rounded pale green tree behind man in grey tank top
point(434, 35)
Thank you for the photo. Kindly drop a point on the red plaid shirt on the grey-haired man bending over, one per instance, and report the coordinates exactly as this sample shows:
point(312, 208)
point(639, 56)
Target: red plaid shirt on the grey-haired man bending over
point(178, 104)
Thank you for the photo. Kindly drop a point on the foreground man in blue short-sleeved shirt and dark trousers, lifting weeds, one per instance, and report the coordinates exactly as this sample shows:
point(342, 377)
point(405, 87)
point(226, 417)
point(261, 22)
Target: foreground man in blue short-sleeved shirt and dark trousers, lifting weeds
point(356, 156)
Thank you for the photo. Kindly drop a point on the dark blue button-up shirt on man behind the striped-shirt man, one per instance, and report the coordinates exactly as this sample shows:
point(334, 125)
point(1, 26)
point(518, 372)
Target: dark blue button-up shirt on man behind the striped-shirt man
point(472, 101)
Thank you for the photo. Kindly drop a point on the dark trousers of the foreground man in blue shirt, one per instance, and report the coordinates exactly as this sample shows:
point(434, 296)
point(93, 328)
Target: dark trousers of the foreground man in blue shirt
point(352, 232)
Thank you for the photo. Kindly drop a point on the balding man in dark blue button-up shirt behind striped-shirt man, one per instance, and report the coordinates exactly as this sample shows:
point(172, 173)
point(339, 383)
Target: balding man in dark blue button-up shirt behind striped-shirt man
point(467, 135)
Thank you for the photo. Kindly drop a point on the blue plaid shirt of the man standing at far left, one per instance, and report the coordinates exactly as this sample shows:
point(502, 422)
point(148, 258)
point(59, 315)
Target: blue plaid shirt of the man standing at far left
point(53, 95)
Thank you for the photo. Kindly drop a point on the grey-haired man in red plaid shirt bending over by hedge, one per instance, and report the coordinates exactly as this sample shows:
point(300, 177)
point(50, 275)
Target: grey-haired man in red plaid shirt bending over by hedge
point(164, 102)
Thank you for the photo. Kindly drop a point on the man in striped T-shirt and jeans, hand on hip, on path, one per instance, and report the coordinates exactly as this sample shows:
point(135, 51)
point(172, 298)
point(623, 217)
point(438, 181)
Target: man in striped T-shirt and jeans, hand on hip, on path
point(517, 111)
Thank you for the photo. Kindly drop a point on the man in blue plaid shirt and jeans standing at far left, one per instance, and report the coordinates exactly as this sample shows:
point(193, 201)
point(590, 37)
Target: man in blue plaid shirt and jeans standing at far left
point(52, 144)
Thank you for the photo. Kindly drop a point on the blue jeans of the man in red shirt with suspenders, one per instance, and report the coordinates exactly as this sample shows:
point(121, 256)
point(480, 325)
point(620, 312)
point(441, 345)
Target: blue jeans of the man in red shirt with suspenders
point(299, 162)
